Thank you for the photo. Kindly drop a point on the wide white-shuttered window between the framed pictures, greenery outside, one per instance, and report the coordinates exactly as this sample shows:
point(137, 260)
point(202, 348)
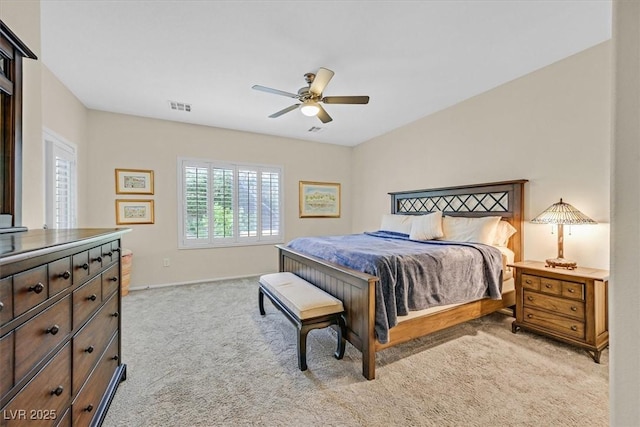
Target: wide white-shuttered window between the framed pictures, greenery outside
point(227, 204)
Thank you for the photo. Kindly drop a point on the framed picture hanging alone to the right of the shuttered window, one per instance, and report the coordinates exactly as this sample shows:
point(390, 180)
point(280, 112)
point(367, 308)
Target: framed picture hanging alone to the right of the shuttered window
point(319, 200)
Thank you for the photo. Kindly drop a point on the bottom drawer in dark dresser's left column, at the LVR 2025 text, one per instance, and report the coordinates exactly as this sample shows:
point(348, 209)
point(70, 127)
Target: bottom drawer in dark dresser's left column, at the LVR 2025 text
point(45, 397)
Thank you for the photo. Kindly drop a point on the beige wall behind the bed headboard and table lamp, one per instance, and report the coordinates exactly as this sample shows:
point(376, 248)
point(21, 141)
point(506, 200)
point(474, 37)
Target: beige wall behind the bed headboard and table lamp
point(551, 127)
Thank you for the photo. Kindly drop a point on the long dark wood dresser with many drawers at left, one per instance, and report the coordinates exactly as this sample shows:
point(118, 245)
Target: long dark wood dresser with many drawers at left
point(60, 310)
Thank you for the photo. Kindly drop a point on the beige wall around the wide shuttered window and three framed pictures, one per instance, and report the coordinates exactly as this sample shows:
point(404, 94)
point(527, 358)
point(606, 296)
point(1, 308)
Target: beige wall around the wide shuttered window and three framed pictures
point(121, 141)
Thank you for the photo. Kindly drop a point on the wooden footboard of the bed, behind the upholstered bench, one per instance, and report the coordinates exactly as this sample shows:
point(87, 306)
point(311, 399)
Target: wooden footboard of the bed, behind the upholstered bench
point(356, 290)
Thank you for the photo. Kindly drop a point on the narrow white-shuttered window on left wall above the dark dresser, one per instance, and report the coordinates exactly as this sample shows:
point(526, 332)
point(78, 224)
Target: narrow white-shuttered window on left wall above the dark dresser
point(61, 182)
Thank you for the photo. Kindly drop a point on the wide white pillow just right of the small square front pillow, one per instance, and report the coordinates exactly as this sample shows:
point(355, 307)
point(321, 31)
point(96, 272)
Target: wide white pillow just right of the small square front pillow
point(464, 229)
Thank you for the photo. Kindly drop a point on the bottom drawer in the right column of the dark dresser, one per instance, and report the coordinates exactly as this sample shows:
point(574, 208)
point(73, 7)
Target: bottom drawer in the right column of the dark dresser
point(87, 401)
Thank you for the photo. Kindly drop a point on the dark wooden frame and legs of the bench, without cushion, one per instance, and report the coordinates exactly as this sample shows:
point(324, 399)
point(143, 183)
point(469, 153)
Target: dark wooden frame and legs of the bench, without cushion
point(305, 325)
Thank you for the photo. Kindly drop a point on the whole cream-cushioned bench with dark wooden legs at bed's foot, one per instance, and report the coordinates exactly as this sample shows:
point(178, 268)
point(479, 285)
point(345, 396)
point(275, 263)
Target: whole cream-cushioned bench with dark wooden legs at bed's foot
point(306, 306)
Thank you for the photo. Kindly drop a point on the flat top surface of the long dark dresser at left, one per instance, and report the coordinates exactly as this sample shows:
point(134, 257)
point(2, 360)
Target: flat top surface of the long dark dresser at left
point(26, 244)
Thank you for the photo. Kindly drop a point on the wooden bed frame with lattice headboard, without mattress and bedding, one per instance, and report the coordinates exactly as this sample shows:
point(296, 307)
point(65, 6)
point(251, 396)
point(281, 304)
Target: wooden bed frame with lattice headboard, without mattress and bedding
point(357, 290)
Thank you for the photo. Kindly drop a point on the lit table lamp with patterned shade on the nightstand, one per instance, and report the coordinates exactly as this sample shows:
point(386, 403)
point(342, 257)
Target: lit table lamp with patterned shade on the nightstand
point(562, 213)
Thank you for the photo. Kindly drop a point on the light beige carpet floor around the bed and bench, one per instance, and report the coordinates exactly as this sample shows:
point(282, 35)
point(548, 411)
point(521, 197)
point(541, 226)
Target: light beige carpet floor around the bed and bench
point(201, 355)
